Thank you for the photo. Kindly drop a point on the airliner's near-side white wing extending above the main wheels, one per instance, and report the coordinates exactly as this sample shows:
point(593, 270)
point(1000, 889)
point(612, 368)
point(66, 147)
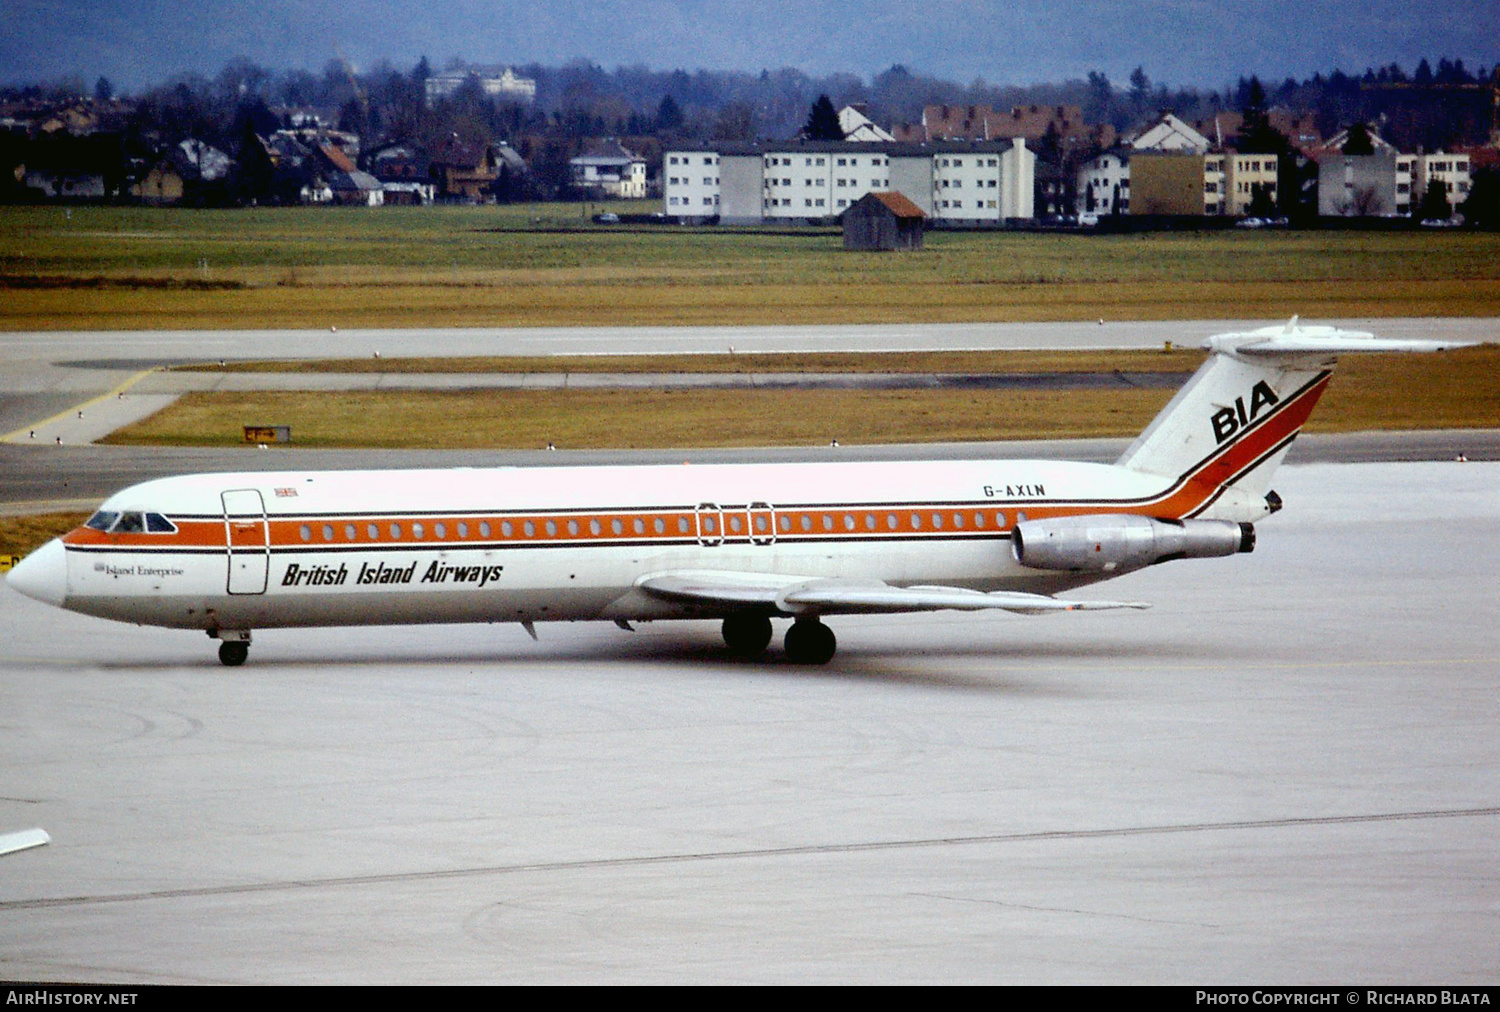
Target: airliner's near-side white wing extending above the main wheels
point(817, 596)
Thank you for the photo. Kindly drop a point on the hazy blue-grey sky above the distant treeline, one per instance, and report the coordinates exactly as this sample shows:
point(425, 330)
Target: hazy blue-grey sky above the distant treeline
point(1198, 43)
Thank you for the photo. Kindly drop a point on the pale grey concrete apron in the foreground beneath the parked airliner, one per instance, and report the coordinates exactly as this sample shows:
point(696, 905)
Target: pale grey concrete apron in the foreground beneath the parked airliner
point(1283, 774)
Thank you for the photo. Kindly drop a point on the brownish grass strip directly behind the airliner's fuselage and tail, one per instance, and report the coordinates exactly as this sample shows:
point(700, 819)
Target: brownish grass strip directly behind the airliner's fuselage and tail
point(1460, 389)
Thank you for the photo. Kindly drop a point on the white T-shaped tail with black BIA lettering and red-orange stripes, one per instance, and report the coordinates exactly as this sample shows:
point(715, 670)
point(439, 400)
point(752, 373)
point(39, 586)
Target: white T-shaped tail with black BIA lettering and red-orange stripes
point(1232, 424)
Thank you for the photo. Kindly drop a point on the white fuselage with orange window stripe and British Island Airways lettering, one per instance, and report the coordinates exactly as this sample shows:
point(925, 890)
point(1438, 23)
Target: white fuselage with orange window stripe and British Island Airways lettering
point(527, 545)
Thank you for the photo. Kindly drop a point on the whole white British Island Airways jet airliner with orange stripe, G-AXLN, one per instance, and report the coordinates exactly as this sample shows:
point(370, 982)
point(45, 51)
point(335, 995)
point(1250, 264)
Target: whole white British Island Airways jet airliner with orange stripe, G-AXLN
point(743, 543)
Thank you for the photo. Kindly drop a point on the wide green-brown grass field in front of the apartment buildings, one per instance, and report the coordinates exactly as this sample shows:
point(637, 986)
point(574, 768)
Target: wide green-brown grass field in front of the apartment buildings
point(100, 268)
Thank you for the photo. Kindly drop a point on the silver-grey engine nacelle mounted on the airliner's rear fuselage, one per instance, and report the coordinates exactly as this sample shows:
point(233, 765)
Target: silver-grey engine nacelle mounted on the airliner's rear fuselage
point(1117, 543)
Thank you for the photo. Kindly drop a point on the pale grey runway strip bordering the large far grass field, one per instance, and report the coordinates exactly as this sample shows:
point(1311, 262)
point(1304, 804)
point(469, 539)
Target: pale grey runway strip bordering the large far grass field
point(44, 374)
